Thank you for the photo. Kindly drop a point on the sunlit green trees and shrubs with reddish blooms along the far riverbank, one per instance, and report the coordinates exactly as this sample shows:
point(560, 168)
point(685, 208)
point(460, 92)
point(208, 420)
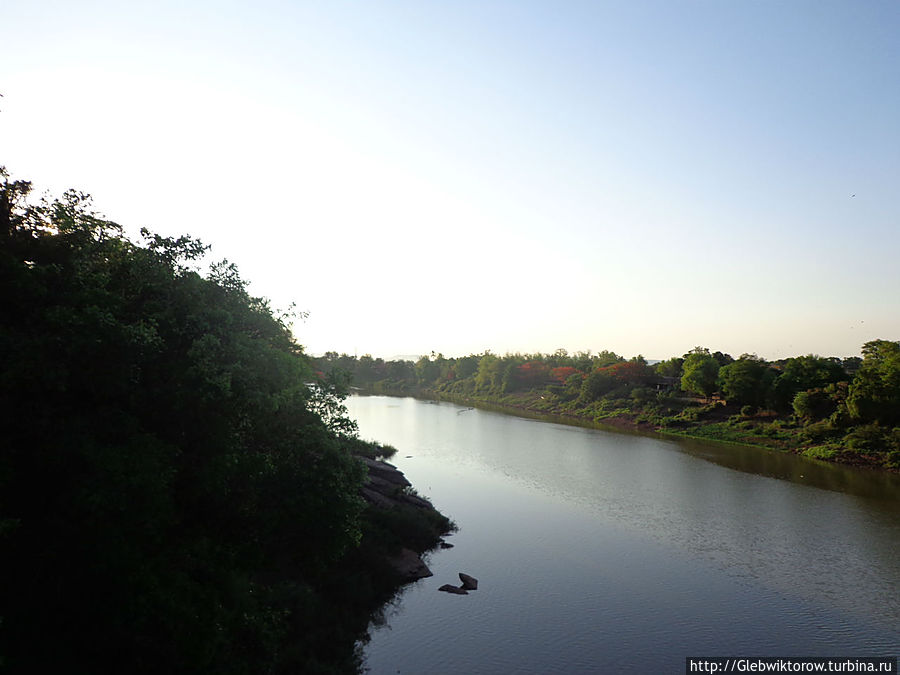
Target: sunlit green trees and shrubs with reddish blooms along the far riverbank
point(839, 409)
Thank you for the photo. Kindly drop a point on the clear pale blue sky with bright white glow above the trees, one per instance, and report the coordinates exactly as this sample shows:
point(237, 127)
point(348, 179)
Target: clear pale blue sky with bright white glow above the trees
point(640, 176)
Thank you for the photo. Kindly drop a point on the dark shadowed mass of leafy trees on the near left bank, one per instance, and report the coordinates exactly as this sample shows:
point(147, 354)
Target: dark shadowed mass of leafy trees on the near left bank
point(175, 496)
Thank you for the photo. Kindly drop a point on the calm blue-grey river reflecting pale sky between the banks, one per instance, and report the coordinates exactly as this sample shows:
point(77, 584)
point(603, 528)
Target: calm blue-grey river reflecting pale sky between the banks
point(605, 552)
